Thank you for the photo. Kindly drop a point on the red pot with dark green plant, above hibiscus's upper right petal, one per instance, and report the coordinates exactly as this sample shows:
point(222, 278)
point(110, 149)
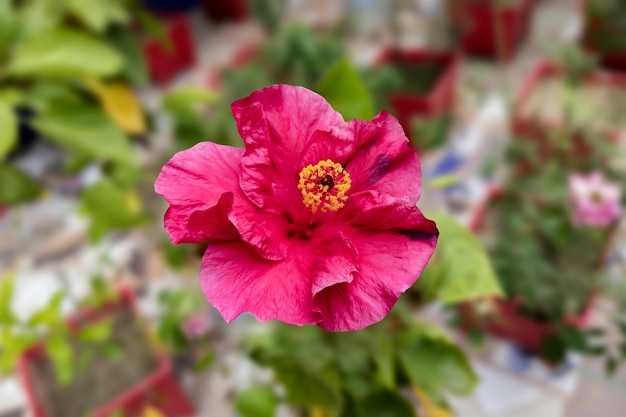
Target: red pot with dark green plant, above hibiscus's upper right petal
point(419, 88)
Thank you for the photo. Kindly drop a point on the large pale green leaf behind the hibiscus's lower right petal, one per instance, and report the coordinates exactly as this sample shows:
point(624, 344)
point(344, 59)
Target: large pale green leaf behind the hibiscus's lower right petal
point(460, 269)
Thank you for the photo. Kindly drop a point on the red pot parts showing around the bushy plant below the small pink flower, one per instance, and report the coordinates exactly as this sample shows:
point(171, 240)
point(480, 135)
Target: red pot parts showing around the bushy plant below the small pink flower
point(507, 319)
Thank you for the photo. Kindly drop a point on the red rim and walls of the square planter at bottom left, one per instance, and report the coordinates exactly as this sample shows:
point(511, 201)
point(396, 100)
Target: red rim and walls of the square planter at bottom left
point(158, 389)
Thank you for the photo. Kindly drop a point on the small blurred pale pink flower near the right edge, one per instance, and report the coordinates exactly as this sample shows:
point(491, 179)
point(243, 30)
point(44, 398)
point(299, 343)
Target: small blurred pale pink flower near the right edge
point(597, 200)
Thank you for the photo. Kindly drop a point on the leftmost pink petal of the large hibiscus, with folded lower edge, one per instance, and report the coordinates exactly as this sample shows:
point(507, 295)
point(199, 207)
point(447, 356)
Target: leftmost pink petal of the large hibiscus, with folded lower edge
point(206, 202)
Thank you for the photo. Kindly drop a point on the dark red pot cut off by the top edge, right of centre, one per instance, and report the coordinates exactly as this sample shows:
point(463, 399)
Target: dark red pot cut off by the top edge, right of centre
point(495, 31)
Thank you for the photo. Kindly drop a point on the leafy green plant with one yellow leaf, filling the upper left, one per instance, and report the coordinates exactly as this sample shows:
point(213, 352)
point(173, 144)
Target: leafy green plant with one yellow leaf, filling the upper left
point(67, 80)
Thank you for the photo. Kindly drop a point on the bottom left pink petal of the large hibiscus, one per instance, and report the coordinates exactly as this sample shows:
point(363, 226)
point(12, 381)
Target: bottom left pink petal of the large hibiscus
point(235, 279)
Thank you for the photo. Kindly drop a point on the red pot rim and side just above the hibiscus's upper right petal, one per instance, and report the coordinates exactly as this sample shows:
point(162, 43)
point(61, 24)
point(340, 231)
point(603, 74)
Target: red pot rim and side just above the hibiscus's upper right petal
point(439, 100)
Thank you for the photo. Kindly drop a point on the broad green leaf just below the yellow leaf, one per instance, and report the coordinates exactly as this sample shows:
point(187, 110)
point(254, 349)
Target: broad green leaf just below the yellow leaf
point(86, 130)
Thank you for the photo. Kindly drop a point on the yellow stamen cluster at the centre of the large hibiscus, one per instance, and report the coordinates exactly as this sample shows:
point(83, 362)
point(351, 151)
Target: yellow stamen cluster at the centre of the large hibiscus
point(324, 186)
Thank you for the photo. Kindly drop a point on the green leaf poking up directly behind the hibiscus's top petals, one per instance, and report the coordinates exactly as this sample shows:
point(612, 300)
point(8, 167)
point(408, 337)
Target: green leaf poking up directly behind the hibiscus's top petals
point(343, 88)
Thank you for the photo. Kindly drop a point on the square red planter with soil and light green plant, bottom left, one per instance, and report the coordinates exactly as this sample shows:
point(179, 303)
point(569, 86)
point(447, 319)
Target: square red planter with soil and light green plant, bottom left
point(104, 347)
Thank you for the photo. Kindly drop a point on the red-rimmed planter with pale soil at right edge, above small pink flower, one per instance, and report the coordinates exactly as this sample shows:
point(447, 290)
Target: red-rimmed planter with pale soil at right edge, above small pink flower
point(572, 99)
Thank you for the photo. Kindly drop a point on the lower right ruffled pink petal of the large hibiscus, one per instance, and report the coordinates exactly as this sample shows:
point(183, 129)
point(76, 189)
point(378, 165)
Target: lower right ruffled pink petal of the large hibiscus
point(389, 263)
